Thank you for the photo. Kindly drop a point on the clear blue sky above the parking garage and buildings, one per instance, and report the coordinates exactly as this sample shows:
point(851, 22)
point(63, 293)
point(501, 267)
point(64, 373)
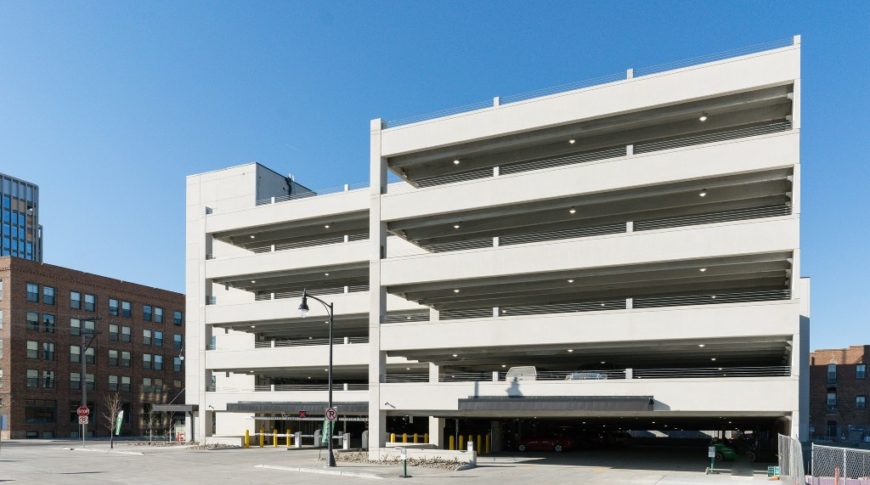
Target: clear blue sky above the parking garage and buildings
point(109, 105)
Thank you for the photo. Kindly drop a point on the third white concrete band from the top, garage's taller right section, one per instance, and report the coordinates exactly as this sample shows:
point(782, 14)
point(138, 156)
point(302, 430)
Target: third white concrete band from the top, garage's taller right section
point(685, 243)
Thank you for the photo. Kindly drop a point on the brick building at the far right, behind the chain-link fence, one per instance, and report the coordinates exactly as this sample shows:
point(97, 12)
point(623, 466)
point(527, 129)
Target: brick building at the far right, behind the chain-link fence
point(839, 389)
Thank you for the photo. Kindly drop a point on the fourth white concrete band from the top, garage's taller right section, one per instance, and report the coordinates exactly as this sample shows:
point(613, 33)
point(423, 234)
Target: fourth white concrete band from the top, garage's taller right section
point(647, 325)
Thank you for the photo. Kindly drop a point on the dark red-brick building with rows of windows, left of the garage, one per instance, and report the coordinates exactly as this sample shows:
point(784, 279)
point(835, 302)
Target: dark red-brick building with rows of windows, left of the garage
point(47, 312)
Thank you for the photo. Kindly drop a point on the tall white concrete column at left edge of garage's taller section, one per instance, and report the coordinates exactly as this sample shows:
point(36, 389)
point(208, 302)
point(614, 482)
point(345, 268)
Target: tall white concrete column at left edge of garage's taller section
point(377, 293)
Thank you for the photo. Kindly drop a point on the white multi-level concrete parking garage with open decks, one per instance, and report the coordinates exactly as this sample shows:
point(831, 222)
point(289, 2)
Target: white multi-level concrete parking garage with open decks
point(634, 246)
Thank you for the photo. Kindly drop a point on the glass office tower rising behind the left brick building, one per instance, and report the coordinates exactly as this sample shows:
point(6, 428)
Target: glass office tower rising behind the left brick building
point(20, 234)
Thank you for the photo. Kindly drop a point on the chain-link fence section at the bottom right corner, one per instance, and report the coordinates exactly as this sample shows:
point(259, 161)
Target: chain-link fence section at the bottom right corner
point(832, 465)
